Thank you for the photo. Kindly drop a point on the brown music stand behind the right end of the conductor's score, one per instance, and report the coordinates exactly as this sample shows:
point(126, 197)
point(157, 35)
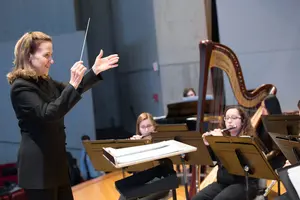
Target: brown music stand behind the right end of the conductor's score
point(193, 138)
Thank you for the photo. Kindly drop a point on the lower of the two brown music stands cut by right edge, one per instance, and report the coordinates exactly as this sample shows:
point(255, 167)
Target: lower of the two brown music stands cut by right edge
point(289, 146)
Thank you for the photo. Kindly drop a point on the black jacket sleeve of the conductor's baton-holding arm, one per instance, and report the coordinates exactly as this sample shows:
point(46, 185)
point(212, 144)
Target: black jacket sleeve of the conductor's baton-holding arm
point(28, 104)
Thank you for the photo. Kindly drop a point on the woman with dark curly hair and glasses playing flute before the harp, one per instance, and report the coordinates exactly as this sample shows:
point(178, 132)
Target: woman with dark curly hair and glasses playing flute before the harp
point(230, 186)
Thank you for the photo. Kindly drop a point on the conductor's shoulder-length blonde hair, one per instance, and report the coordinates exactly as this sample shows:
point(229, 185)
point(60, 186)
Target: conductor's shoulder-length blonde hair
point(26, 45)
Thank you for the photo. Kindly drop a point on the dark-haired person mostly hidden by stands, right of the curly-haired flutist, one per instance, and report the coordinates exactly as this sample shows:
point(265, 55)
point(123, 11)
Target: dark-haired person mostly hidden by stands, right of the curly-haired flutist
point(271, 106)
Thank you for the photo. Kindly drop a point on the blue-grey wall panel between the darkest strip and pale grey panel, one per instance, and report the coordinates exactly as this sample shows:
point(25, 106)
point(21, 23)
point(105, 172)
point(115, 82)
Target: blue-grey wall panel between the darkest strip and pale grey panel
point(136, 43)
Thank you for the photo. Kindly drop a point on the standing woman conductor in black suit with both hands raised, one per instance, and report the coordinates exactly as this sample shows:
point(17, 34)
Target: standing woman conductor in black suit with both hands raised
point(40, 104)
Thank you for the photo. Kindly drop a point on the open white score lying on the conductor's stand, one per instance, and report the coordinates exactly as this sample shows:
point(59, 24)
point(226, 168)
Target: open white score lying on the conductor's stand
point(145, 153)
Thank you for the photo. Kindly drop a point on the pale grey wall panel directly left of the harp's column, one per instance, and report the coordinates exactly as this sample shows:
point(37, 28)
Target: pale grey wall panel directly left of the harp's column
point(179, 28)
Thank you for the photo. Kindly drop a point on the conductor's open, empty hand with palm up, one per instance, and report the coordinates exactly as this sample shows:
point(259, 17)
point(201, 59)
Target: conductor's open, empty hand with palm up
point(103, 64)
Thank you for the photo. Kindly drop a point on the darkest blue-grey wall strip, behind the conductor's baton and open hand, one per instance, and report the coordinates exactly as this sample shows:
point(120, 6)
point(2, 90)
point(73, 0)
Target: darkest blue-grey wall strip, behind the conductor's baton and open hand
point(101, 36)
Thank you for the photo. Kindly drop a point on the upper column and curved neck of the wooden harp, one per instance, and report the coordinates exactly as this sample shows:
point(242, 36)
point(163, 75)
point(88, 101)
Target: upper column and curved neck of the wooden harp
point(215, 55)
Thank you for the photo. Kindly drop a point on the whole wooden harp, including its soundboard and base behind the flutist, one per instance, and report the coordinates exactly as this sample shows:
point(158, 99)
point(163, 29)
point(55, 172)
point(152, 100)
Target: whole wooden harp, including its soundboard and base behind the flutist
point(217, 58)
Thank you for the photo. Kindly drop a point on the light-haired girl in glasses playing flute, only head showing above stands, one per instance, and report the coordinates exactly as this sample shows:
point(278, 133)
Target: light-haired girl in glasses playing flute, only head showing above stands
point(145, 126)
